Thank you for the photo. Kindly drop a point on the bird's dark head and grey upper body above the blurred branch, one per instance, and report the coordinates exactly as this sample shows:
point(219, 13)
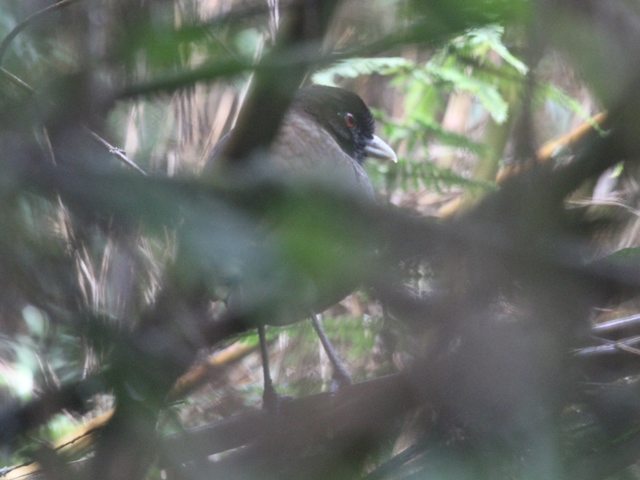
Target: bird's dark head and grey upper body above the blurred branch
point(326, 135)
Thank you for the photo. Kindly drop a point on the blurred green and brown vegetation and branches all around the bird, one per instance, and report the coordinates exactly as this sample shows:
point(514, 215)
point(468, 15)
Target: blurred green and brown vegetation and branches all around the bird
point(490, 321)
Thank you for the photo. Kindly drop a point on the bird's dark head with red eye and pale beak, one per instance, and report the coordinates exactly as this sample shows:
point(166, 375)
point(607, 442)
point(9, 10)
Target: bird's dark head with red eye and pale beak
point(347, 118)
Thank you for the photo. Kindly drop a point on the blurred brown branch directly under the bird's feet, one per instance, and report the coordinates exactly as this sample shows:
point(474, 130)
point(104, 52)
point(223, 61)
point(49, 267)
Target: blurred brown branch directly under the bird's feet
point(362, 409)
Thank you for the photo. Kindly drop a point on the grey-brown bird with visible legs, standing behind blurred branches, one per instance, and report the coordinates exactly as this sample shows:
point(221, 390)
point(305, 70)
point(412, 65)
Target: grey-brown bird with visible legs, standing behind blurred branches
point(324, 138)
